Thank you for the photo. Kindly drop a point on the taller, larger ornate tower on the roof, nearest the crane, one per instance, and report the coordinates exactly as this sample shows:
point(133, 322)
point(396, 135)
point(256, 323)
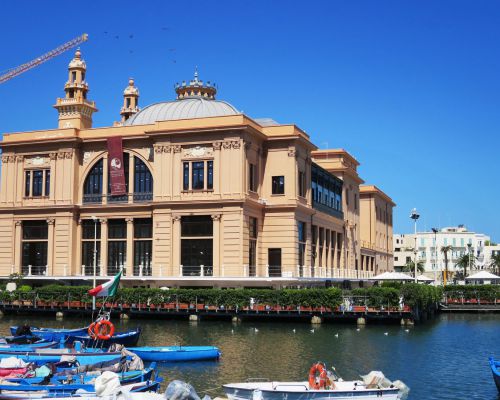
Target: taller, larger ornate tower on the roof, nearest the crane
point(75, 111)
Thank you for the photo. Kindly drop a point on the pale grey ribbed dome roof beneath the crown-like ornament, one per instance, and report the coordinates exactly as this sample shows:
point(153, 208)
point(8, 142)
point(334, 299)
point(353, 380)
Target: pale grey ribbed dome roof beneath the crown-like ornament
point(182, 109)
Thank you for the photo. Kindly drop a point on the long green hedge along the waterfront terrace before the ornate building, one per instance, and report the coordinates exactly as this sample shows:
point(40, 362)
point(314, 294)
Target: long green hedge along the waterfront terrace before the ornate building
point(413, 295)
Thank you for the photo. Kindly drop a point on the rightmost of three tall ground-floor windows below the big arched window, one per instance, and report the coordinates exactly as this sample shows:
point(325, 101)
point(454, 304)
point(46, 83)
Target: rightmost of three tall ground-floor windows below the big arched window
point(143, 246)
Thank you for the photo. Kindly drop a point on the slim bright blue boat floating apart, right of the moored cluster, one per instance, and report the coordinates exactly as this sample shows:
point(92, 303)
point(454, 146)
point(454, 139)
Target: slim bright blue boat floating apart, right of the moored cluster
point(177, 353)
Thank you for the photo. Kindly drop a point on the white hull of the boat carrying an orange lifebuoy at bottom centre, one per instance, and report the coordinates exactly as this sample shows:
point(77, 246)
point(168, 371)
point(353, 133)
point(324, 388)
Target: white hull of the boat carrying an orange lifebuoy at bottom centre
point(300, 391)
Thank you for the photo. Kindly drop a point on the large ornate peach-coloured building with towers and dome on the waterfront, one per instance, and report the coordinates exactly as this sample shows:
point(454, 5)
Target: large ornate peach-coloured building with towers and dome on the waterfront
point(189, 192)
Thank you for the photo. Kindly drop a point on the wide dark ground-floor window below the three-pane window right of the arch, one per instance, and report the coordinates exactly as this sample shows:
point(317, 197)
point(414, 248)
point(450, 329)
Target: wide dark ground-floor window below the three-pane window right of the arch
point(197, 245)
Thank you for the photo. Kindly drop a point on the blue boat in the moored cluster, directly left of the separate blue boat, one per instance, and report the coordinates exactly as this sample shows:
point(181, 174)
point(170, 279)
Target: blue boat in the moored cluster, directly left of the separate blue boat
point(43, 356)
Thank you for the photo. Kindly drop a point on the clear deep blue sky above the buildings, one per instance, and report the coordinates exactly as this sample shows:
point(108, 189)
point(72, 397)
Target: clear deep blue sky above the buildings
point(410, 88)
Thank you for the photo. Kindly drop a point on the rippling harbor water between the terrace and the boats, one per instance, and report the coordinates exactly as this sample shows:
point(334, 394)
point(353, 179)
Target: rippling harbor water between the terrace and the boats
point(445, 359)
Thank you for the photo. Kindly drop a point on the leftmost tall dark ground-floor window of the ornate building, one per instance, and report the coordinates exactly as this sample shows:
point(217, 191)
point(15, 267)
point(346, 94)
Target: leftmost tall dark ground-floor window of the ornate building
point(34, 247)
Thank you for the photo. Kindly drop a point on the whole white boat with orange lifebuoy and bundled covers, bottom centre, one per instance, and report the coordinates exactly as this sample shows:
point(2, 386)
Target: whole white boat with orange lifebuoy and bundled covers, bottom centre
point(323, 386)
